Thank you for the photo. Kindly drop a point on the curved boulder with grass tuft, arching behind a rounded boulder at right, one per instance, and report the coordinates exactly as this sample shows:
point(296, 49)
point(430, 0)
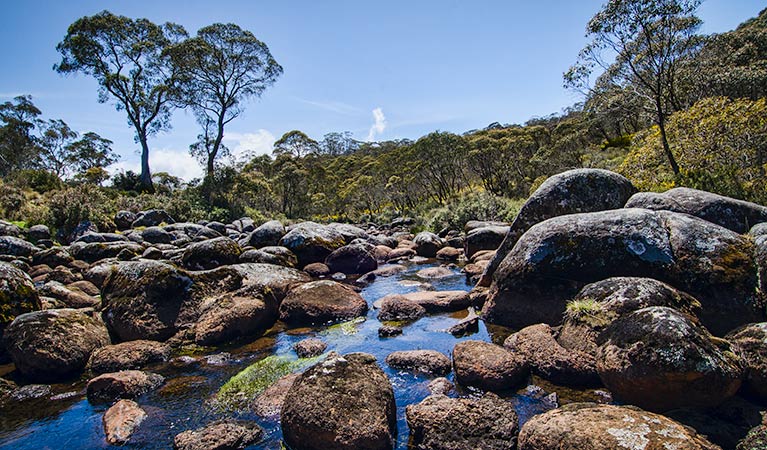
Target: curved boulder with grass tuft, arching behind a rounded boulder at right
point(598, 304)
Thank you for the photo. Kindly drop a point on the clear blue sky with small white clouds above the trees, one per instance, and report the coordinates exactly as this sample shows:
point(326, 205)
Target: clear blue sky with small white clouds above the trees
point(382, 70)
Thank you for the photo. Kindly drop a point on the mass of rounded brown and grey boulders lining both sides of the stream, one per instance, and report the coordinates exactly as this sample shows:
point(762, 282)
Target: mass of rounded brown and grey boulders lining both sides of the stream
point(658, 299)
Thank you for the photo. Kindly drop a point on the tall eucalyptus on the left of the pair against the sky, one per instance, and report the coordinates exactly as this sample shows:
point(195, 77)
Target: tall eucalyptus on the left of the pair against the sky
point(125, 56)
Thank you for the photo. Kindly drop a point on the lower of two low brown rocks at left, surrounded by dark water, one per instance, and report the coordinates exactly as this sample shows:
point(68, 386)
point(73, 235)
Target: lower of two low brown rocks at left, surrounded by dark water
point(124, 384)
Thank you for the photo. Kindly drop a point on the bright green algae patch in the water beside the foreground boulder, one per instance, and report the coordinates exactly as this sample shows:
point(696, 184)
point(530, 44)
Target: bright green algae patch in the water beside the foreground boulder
point(249, 383)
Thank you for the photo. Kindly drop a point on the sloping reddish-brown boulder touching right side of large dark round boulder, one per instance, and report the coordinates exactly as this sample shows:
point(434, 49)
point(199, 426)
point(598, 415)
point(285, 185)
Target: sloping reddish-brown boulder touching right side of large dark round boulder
point(233, 316)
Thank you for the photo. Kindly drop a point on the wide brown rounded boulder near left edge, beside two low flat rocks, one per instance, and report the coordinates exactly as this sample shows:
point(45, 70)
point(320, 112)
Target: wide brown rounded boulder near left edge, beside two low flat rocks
point(54, 344)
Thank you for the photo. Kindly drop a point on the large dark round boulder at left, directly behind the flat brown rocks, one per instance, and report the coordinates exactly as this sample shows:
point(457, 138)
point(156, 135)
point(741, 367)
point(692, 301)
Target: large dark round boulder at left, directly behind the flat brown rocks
point(147, 300)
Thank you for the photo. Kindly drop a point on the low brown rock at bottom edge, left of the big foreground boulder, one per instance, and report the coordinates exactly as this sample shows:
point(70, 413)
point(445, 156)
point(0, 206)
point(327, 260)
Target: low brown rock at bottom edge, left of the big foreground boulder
point(225, 435)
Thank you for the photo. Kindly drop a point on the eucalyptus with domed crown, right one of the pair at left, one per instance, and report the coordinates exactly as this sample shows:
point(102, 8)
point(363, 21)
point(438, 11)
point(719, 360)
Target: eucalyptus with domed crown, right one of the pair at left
point(219, 70)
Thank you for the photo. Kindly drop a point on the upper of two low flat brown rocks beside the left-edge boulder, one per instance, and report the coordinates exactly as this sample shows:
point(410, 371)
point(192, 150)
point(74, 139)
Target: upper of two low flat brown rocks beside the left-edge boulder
point(128, 355)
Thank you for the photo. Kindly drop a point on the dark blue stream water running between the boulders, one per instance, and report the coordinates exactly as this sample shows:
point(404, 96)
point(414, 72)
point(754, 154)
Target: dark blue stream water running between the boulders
point(185, 401)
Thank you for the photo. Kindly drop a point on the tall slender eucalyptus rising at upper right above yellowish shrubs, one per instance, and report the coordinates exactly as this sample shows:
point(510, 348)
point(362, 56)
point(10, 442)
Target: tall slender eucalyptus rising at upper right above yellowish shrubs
point(648, 42)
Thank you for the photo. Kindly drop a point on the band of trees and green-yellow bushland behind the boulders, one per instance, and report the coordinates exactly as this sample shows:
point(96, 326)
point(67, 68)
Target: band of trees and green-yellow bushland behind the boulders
point(668, 107)
